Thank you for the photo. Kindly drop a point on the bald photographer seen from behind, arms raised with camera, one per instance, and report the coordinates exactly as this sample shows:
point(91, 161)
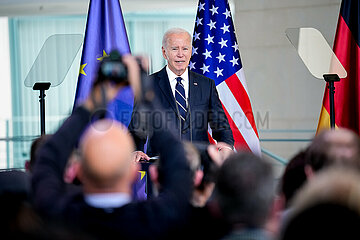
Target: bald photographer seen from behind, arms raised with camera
point(104, 208)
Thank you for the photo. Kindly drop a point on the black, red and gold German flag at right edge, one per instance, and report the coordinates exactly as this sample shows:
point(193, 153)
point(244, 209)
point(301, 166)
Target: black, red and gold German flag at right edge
point(347, 91)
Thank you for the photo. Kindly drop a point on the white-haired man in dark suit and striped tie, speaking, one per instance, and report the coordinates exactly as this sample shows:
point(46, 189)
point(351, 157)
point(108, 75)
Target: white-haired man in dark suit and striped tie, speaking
point(190, 100)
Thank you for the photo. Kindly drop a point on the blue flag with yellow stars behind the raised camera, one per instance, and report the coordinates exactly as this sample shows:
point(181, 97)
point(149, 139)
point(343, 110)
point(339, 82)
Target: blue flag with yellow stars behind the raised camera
point(105, 31)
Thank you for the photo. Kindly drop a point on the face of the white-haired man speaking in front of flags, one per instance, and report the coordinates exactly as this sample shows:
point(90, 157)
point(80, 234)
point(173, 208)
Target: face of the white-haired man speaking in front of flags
point(177, 52)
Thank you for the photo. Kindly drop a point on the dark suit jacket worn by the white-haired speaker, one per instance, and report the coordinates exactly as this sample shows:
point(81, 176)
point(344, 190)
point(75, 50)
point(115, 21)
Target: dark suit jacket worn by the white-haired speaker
point(204, 108)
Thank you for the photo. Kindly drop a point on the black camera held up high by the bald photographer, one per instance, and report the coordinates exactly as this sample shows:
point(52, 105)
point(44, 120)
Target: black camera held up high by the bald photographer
point(113, 69)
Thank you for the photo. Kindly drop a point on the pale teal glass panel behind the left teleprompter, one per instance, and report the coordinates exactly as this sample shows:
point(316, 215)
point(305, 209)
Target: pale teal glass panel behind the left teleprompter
point(27, 38)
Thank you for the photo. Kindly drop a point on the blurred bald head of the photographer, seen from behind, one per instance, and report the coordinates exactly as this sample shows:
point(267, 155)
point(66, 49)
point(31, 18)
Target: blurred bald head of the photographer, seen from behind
point(106, 149)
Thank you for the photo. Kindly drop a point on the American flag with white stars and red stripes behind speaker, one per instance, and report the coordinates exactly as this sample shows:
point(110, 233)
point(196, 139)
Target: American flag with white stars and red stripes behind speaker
point(215, 54)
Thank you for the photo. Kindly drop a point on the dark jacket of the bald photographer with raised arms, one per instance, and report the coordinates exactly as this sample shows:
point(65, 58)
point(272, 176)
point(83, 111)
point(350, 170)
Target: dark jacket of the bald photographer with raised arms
point(152, 219)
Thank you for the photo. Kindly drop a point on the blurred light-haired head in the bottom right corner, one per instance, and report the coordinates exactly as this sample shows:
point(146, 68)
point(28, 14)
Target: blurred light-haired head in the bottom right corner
point(328, 207)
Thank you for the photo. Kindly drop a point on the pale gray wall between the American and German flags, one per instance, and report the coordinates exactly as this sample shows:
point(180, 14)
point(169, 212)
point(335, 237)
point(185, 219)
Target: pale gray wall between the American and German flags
point(279, 84)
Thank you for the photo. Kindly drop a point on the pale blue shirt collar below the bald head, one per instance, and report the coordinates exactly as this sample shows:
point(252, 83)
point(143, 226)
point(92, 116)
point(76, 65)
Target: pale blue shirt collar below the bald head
point(107, 200)
